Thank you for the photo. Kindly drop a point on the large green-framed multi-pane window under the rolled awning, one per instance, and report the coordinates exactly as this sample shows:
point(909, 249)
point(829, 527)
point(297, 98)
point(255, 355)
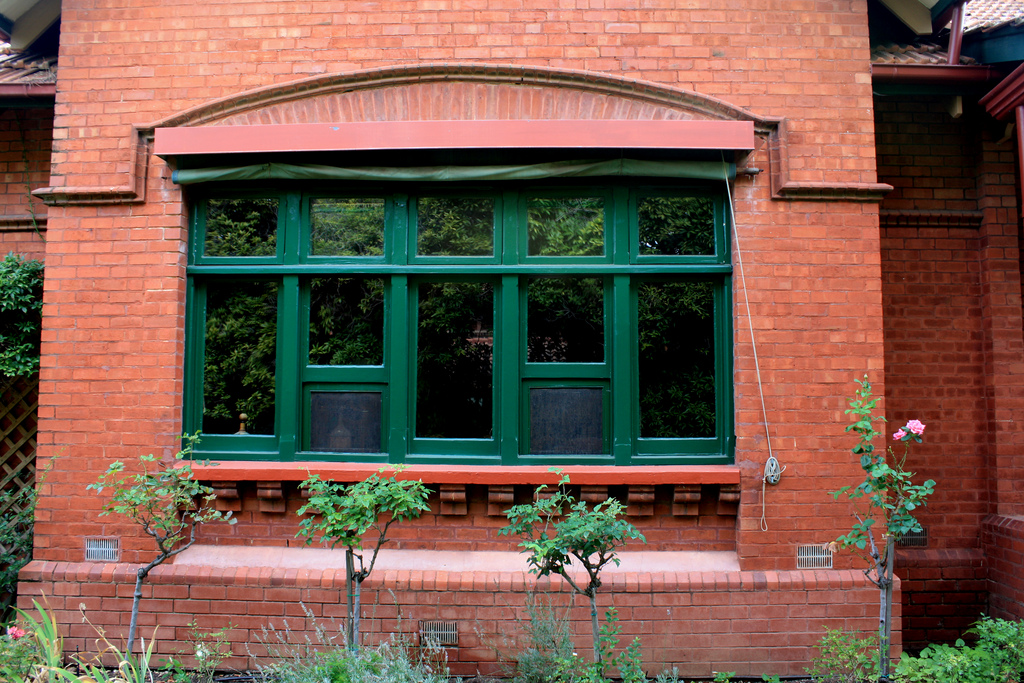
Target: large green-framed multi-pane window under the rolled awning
point(509, 325)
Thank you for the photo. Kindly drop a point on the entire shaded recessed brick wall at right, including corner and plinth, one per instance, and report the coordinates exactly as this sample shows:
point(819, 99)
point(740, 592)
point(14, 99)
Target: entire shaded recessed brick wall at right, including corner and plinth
point(953, 333)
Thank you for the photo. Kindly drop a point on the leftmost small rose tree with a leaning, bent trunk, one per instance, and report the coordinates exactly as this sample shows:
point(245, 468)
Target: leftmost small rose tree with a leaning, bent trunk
point(166, 502)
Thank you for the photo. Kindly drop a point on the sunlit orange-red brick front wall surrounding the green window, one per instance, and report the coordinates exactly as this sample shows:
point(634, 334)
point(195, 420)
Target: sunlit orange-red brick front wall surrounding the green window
point(112, 372)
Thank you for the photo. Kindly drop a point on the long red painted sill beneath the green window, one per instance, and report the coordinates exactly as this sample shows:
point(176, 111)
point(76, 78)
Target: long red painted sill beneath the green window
point(533, 476)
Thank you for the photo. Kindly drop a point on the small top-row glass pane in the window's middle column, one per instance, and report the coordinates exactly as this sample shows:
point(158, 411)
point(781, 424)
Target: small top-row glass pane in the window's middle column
point(455, 227)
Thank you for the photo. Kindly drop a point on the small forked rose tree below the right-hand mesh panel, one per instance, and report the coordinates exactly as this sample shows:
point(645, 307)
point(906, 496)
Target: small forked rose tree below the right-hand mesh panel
point(560, 529)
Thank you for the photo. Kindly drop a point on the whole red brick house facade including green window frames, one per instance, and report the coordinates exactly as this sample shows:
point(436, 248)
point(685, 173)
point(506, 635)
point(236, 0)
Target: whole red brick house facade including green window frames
point(874, 235)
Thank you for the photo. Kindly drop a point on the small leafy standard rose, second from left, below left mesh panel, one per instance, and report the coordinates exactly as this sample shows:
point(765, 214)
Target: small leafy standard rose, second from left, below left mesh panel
point(347, 514)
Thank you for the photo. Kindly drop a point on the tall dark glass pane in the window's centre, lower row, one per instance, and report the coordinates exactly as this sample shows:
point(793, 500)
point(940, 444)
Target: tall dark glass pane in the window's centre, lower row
point(455, 348)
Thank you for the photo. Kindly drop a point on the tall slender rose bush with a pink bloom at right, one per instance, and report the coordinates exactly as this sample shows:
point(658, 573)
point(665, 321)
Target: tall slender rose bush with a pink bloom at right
point(891, 499)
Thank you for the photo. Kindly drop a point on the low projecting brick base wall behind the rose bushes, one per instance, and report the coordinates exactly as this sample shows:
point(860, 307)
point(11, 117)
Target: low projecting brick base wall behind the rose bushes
point(698, 622)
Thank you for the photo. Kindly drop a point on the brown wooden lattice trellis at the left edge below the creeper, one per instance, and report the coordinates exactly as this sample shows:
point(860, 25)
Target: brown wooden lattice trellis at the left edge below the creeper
point(19, 404)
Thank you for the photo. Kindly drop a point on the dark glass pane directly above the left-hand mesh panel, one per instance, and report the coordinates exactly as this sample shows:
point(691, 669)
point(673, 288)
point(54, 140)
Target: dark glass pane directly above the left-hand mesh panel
point(347, 322)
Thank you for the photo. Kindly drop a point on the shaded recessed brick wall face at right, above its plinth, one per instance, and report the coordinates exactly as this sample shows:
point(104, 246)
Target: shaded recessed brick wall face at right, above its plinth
point(933, 312)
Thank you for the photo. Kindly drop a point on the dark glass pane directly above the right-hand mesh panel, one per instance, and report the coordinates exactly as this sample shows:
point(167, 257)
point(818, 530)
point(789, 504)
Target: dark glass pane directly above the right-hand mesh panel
point(566, 320)
